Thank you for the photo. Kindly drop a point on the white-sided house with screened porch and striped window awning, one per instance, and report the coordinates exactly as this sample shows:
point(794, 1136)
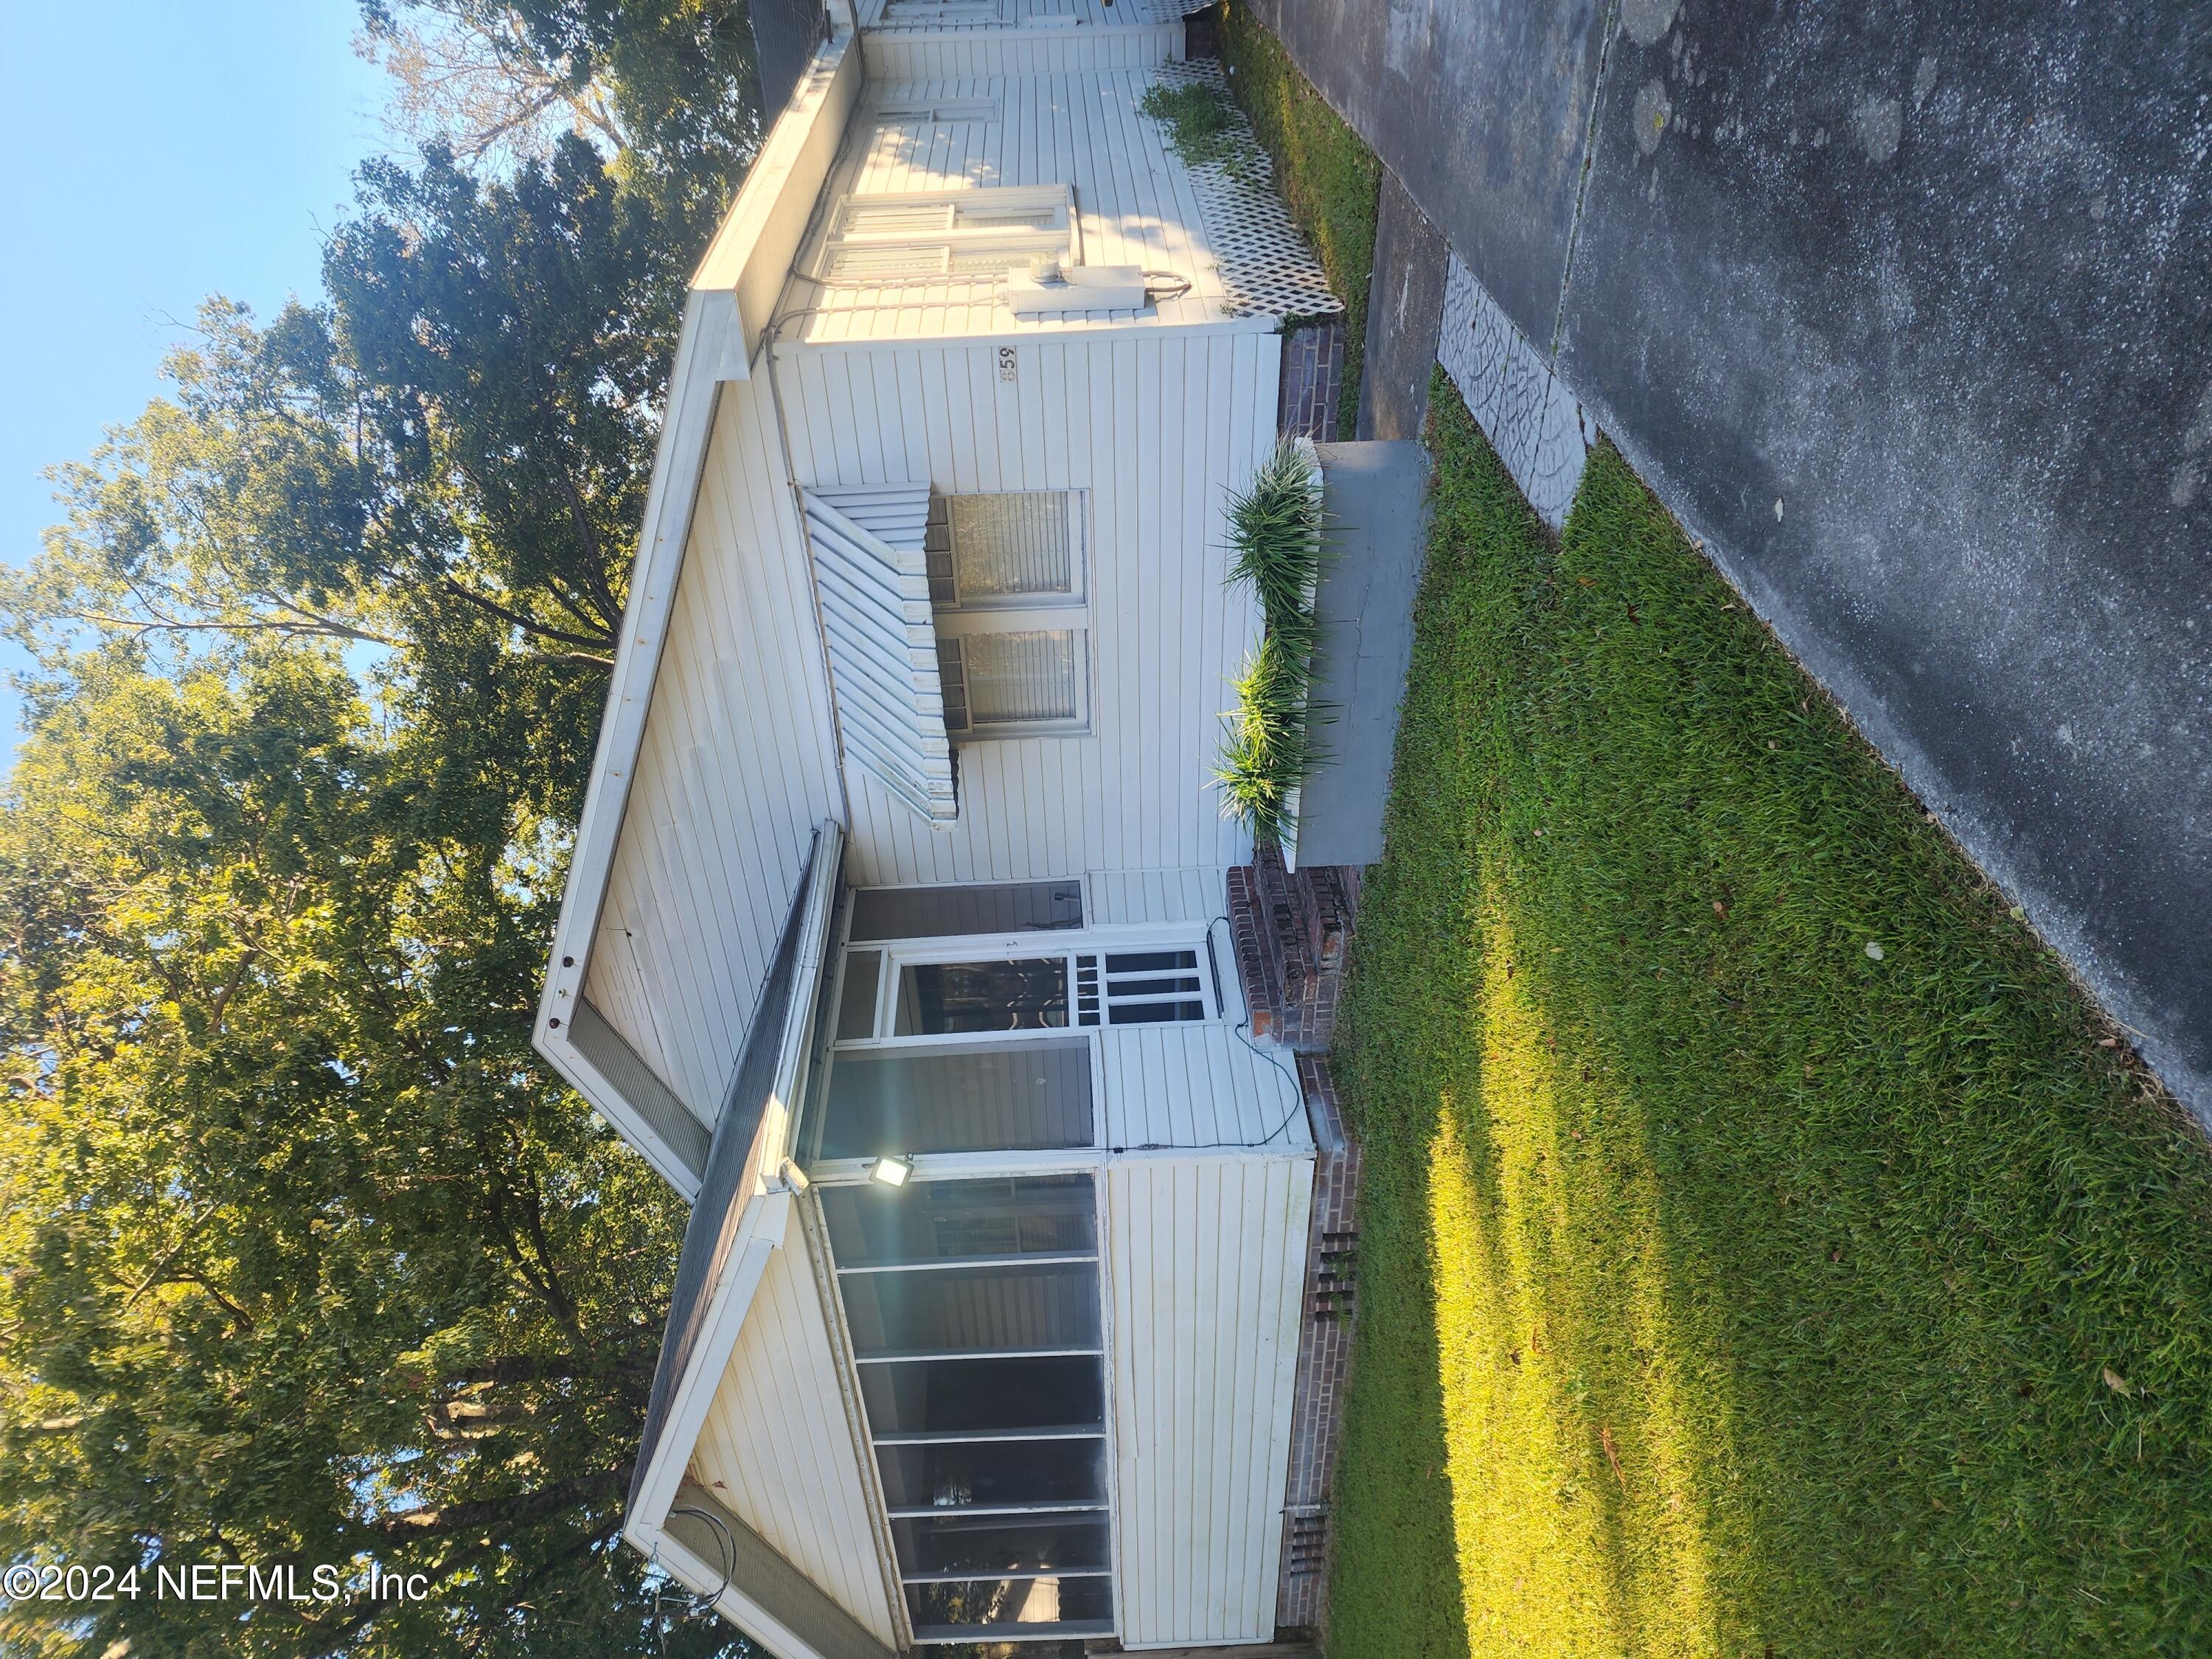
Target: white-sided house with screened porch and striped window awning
point(895, 935)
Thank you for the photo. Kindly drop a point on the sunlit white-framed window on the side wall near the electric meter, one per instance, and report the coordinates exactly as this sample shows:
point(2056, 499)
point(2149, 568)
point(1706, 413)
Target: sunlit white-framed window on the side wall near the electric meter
point(981, 231)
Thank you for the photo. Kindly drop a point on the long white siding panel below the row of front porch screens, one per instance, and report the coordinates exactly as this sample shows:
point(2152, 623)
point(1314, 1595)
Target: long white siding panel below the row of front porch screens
point(1207, 1286)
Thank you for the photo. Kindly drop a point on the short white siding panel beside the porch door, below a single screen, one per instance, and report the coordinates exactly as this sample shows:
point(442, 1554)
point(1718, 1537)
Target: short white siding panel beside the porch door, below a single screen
point(1200, 1085)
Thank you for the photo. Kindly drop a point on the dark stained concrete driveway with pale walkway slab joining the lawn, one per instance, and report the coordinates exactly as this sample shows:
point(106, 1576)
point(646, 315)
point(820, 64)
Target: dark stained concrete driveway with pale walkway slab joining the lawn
point(1906, 313)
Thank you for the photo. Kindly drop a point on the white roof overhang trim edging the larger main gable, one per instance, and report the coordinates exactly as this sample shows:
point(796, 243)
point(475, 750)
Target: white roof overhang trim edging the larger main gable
point(727, 317)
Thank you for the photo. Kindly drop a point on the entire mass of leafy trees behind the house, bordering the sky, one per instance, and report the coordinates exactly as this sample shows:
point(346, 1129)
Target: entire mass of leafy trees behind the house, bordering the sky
point(304, 1253)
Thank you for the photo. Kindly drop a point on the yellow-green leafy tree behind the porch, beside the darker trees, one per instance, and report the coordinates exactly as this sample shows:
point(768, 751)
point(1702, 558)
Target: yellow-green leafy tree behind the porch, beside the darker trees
point(309, 1258)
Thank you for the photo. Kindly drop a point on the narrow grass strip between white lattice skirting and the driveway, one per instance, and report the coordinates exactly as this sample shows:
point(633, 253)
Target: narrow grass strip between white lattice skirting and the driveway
point(1324, 171)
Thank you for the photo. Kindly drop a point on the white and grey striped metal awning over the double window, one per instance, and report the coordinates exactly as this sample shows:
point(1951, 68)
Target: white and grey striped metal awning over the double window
point(884, 649)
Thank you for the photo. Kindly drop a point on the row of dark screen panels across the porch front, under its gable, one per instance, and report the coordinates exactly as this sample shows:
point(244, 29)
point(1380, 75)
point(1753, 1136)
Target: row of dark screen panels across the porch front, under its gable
point(992, 1452)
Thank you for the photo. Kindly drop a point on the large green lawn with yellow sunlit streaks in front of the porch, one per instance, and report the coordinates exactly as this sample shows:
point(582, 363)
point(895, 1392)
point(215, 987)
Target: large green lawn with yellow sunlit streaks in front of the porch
point(1760, 1251)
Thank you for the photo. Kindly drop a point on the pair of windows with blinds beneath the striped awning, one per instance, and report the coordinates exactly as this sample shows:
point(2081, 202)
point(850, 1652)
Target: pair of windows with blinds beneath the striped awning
point(1008, 589)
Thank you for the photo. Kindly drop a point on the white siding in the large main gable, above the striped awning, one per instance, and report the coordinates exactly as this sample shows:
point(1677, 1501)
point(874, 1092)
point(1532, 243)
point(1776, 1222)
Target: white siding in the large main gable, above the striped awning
point(735, 771)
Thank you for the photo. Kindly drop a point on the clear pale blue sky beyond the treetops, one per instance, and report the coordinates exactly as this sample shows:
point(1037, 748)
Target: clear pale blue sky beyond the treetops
point(174, 152)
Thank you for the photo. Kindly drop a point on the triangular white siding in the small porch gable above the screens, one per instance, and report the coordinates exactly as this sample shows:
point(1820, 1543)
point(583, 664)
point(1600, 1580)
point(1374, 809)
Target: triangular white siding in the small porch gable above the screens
point(778, 1448)
